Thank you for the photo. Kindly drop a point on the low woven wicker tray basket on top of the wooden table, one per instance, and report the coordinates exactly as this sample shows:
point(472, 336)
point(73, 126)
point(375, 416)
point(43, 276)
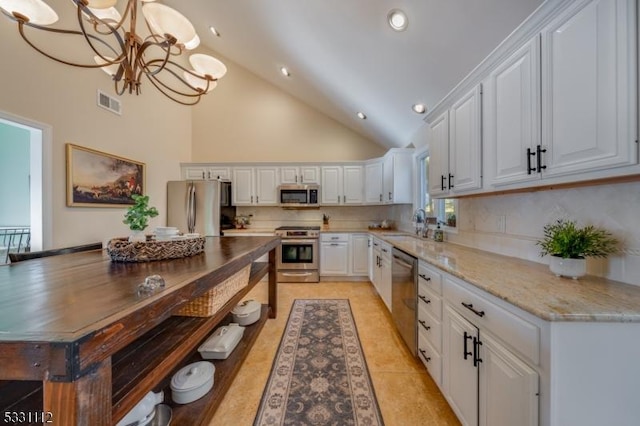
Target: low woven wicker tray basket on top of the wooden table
point(122, 250)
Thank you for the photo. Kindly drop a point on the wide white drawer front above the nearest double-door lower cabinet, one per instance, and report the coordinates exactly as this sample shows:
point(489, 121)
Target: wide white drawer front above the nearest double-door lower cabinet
point(512, 329)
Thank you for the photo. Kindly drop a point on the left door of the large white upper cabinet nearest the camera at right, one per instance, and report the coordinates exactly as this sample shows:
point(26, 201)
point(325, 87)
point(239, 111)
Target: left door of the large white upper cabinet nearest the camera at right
point(512, 116)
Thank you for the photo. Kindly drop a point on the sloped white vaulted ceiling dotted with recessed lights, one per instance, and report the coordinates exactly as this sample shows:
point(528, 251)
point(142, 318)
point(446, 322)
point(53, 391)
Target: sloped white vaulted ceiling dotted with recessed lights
point(344, 58)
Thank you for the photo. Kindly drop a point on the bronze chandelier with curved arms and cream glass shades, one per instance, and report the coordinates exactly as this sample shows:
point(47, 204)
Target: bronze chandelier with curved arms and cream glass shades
point(123, 53)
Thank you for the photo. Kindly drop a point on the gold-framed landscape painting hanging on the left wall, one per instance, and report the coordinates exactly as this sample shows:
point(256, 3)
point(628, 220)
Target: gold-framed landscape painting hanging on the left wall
point(99, 179)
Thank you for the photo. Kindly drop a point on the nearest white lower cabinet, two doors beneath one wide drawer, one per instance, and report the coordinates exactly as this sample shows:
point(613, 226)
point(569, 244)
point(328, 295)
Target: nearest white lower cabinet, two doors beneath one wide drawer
point(484, 380)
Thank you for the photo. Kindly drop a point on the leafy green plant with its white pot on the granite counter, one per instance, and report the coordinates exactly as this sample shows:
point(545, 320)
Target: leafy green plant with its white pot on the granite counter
point(570, 245)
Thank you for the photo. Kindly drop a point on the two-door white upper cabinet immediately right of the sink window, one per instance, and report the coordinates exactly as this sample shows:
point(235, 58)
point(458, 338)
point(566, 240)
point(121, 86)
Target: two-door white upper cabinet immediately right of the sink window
point(455, 147)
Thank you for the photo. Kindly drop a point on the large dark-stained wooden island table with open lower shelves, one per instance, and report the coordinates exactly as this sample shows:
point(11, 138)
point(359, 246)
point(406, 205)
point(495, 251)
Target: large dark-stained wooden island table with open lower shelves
point(80, 346)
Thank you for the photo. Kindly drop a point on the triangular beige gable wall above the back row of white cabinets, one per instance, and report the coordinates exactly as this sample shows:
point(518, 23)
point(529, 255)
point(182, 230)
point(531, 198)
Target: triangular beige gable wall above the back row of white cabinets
point(248, 119)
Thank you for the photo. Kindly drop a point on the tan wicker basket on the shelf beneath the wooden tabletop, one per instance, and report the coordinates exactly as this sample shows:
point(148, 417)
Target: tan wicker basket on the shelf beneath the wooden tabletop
point(211, 302)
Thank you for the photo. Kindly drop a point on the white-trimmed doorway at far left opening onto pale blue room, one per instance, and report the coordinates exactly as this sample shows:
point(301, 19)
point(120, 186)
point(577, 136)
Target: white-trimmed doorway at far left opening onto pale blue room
point(26, 187)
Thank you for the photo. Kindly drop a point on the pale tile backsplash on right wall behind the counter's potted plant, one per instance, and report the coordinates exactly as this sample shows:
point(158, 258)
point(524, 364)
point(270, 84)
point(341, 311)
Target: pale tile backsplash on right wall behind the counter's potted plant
point(511, 224)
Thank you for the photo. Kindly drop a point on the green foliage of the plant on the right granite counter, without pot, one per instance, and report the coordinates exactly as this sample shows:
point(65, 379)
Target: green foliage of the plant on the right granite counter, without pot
point(564, 239)
